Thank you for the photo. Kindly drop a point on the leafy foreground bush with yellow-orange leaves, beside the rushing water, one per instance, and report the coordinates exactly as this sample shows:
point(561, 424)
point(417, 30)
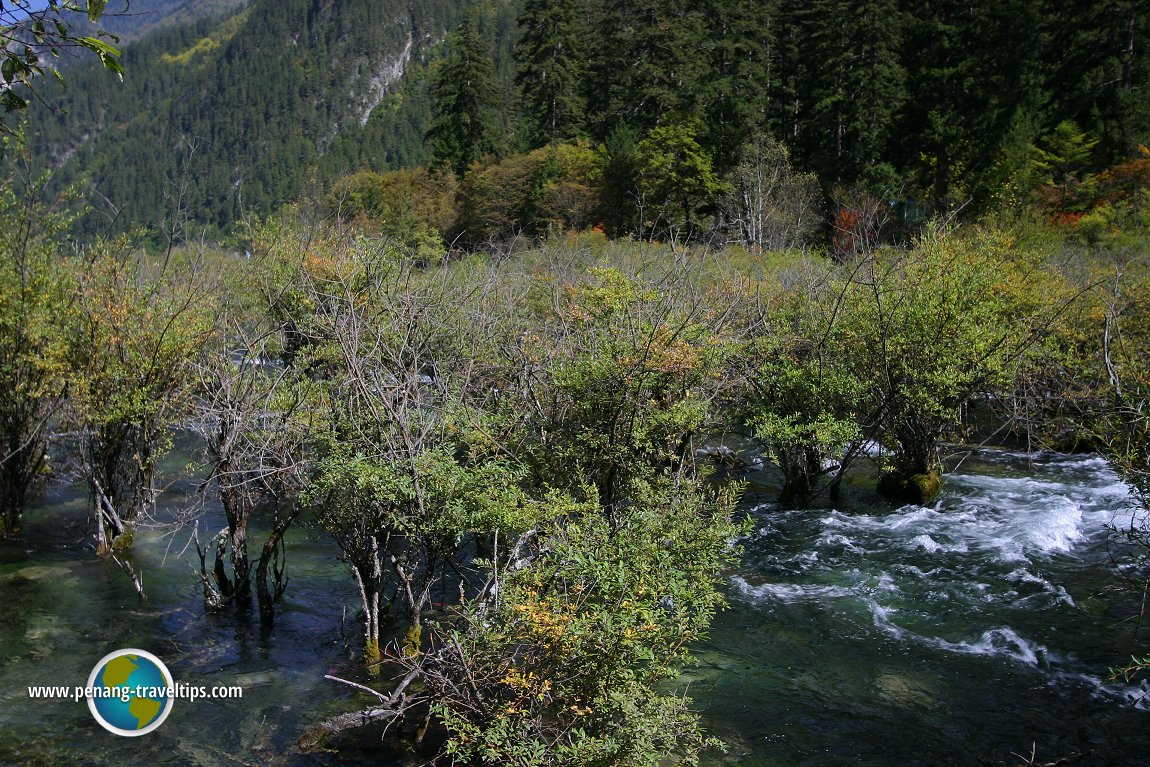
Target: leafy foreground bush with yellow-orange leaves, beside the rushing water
point(562, 662)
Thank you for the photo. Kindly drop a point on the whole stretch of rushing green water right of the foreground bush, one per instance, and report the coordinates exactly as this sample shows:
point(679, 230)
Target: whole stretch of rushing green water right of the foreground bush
point(953, 635)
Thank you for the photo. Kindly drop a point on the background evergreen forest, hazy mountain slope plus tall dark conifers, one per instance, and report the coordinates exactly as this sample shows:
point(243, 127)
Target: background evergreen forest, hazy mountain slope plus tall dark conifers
point(942, 106)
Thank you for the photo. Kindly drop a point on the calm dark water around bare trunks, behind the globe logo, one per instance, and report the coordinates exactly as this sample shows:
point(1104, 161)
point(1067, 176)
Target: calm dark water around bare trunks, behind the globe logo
point(62, 610)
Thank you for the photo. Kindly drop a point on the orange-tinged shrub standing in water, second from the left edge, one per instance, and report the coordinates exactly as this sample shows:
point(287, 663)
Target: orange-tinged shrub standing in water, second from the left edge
point(135, 333)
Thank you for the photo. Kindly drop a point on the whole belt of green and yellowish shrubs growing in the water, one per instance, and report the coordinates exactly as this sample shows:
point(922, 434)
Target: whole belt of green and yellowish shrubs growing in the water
point(510, 448)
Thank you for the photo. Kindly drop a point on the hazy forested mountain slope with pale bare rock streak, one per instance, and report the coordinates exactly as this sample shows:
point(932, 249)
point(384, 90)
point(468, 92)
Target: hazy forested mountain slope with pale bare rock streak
point(223, 118)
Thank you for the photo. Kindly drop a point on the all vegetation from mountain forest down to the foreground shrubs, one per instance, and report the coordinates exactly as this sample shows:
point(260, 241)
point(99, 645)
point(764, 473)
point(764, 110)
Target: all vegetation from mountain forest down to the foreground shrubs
point(484, 292)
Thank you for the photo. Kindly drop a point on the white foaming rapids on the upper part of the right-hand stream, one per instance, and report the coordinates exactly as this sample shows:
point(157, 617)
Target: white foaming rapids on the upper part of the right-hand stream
point(961, 578)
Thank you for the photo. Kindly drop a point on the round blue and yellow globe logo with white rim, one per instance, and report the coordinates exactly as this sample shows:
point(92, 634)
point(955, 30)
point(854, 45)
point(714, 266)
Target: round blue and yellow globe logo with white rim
point(132, 693)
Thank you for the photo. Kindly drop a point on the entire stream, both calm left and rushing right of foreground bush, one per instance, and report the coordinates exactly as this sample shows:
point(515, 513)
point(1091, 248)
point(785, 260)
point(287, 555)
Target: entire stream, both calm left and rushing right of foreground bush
point(862, 634)
